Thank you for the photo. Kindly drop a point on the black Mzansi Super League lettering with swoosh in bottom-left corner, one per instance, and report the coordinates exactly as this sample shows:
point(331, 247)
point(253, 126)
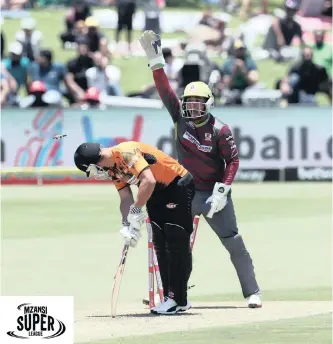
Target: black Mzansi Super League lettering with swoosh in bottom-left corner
point(36, 322)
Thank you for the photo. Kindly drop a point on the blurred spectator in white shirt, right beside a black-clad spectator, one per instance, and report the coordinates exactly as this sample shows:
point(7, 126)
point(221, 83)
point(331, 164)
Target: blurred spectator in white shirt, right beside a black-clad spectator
point(104, 77)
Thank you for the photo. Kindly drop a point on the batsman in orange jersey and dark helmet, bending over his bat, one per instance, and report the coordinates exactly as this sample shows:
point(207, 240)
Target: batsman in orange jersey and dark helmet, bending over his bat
point(166, 188)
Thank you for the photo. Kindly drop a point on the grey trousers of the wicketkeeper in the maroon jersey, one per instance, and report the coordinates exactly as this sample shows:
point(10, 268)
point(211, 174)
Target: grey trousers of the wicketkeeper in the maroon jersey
point(224, 224)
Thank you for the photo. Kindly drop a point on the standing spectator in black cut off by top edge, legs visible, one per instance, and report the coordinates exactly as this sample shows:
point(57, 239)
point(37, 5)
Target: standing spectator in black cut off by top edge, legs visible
point(126, 10)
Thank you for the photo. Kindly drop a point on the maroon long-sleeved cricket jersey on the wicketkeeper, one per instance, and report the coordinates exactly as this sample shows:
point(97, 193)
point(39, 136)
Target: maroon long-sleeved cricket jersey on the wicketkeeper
point(207, 150)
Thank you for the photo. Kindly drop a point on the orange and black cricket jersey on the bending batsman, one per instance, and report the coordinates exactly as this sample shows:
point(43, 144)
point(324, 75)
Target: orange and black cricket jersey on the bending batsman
point(131, 159)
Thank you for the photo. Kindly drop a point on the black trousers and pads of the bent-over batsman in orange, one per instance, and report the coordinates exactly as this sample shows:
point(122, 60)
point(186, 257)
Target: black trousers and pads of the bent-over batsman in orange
point(170, 212)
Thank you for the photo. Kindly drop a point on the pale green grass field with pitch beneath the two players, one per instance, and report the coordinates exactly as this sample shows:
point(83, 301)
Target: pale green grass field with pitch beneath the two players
point(64, 240)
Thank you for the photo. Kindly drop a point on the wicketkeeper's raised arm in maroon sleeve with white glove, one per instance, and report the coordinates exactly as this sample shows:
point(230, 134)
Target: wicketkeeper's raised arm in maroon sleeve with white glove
point(151, 44)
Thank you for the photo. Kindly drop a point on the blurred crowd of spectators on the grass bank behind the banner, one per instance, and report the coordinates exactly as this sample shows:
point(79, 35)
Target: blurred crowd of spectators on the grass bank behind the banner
point(30, 75)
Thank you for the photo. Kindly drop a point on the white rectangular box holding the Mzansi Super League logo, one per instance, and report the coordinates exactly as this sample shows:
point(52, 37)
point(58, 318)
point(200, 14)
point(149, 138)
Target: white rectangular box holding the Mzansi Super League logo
point(35, 318)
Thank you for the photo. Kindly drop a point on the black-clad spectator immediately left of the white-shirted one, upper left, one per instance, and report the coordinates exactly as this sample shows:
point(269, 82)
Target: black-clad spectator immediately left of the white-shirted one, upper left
point(76, 77)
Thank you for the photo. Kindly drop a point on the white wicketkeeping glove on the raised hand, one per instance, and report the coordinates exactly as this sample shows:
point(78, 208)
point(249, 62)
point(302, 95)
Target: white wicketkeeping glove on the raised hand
point(151, 44)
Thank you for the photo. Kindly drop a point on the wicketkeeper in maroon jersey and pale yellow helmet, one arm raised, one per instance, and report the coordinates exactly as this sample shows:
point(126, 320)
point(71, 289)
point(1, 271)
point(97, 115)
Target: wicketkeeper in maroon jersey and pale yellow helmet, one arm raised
point(206, 148)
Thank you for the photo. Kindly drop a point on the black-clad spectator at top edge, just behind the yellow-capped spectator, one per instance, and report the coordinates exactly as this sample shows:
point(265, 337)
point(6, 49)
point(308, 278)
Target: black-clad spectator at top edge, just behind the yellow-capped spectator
point(79, 12)
